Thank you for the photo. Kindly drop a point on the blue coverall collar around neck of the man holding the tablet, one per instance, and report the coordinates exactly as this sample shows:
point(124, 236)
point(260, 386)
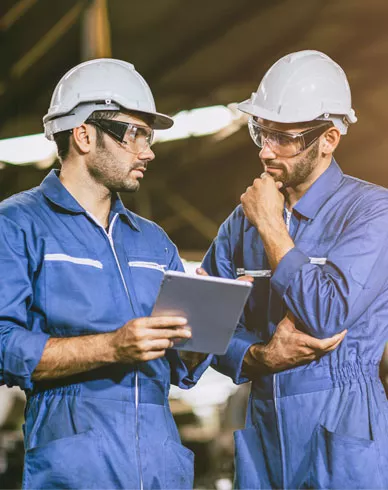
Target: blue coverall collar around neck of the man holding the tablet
point(56, 192)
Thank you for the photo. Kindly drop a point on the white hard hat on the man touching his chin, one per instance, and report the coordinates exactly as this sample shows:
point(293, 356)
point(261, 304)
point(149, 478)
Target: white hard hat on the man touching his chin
point(300, 87)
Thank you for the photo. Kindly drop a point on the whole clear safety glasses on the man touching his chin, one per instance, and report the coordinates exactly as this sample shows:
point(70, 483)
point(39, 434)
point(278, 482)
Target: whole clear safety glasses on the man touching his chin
point(282, 143)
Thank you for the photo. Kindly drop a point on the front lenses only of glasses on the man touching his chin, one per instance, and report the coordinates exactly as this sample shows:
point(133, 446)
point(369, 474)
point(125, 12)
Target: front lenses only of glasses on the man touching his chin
point(283, 144)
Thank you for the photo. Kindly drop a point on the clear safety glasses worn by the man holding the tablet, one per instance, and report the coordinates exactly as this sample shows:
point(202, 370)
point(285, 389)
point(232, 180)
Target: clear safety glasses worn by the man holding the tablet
point(135, 138)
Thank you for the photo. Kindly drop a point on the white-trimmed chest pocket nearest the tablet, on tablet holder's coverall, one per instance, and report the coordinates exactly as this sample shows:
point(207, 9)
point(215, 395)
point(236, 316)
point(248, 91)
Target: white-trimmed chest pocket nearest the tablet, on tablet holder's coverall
point(147, 275)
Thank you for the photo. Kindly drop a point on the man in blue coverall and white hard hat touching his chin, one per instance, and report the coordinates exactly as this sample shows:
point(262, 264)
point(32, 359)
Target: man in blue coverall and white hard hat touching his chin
point(315, 241)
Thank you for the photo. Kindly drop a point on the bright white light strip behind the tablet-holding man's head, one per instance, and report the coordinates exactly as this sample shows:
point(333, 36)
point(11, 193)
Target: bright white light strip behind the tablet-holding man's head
point(196, 122)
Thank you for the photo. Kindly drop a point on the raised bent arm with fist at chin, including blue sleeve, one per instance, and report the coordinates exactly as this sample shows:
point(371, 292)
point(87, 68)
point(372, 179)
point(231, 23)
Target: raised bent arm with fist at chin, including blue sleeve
point(331, 298)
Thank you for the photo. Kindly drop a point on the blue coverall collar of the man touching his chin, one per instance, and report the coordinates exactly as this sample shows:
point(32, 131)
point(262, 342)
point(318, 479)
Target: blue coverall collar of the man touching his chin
point(321, 190)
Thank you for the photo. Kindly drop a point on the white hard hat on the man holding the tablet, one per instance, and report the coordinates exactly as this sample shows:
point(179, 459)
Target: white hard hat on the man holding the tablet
point(101, 84)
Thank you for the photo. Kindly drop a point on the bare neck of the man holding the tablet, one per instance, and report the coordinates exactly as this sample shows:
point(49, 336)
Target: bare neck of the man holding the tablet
point(92, 196)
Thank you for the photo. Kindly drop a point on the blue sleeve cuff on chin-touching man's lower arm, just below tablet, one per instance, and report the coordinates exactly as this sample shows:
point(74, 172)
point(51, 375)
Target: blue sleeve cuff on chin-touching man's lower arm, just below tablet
point(231, 362)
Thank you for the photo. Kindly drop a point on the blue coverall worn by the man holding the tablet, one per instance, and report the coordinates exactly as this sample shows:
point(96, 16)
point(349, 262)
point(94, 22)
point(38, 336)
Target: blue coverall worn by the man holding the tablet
point(63, 275)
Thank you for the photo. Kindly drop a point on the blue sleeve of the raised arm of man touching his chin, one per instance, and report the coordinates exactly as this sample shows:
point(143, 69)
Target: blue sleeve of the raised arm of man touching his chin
point(330, 298)
